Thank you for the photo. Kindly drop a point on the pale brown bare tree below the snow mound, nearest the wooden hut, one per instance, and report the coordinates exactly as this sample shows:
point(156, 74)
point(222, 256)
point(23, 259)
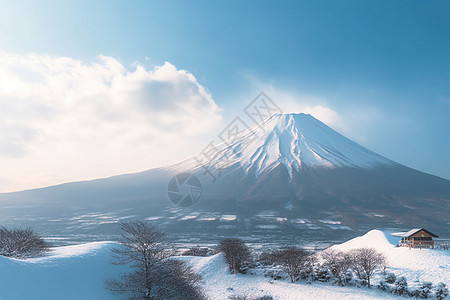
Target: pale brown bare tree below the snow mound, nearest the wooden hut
point(365, 261)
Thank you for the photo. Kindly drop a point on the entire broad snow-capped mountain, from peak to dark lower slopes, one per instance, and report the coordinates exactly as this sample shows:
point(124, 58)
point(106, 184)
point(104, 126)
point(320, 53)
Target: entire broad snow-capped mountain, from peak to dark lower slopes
point(291, 174)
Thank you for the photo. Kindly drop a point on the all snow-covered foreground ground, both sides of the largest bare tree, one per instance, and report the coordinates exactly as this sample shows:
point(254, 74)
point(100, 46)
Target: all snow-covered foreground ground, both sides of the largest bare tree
point(78, 272)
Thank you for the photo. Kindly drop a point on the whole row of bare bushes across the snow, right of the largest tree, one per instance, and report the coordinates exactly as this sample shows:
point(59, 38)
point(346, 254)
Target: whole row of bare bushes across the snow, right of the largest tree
point(300, 264)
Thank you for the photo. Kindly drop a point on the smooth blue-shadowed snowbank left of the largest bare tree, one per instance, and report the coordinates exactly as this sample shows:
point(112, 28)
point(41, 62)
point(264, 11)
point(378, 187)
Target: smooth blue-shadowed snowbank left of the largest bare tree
point(69, 272)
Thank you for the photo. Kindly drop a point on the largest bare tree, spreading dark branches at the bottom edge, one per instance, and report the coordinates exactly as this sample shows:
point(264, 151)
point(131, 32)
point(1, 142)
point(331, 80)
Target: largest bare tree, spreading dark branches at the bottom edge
point(155, 274)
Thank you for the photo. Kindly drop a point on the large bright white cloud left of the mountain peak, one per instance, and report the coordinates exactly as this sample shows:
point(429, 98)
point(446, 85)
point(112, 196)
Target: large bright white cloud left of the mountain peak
point(62, 119)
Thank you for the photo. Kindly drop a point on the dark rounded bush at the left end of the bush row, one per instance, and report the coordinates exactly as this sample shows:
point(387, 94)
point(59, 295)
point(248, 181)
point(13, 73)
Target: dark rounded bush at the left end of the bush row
point(236, 253)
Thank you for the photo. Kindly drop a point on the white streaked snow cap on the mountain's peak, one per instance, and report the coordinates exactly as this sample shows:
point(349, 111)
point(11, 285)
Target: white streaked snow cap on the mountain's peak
point(295, 141)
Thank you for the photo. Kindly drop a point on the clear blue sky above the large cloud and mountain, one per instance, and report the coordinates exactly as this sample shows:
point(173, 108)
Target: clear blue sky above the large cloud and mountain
point(382, 66)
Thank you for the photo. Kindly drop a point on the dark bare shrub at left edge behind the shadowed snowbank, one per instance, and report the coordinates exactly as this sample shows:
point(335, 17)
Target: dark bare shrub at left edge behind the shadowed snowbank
point(21, 243)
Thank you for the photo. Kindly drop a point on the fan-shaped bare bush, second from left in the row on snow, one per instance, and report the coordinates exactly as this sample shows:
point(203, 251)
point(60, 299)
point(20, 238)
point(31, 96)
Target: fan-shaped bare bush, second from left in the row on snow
point(293, 260)
